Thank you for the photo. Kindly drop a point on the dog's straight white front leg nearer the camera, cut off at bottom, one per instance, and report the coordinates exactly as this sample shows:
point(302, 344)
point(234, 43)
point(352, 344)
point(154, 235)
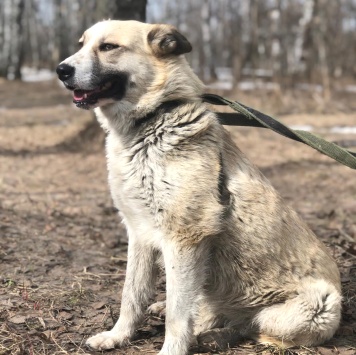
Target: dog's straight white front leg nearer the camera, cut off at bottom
point(184, 280)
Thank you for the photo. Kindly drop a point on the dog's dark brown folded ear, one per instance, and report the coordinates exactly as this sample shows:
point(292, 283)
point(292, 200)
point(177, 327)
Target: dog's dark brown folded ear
point(165, 40)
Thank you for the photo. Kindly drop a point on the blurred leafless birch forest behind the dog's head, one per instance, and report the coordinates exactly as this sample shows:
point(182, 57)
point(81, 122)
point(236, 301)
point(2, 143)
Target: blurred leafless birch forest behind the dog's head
point(283, 42)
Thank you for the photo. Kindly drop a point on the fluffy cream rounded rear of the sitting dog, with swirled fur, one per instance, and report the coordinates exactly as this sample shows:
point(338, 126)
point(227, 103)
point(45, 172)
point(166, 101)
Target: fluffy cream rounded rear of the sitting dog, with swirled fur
point(310, 318)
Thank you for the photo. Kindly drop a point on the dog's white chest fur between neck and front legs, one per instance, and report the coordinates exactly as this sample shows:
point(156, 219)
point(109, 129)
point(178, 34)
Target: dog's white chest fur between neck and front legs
point(136, 180)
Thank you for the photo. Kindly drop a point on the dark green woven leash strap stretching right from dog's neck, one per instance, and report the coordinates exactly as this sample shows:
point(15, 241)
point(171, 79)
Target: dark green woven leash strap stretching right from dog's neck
point(247, 116)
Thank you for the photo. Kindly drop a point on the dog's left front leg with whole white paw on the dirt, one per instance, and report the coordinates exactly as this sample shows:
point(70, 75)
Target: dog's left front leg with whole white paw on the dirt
point(136, 294)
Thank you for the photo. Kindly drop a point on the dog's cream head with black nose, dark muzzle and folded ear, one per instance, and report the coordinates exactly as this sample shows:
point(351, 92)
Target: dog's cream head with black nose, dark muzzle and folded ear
point(123, 61)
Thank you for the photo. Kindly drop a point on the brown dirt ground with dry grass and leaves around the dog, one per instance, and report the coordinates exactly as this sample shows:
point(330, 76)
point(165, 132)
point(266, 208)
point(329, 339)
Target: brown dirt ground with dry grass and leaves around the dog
point(63, 250)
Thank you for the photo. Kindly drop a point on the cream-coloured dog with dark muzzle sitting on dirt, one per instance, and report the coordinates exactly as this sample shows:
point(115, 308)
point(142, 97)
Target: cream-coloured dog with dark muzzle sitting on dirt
point(237, 259)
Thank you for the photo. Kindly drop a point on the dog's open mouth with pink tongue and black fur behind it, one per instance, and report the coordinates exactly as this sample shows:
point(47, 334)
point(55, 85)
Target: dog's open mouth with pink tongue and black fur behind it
point(109, 89)
